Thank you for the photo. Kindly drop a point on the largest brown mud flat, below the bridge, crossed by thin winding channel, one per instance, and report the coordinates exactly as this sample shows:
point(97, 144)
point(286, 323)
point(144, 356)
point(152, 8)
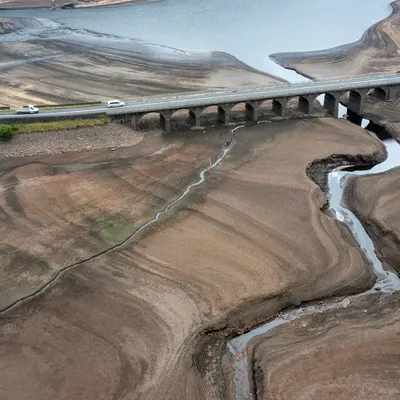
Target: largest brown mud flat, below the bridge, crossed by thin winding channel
point(155, 314)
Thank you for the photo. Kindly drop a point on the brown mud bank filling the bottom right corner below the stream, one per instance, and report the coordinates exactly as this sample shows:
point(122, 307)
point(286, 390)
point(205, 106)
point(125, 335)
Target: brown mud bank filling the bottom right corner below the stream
point(349, 353)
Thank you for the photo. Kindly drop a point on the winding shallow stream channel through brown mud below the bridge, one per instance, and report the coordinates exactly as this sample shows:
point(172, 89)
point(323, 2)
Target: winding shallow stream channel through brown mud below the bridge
point(386, 280)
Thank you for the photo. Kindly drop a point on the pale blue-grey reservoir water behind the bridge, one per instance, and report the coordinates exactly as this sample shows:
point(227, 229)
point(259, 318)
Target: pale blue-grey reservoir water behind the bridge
point(250, 30)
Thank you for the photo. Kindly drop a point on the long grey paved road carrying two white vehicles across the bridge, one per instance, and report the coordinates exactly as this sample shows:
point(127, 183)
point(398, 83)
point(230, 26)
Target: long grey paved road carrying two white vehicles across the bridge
point(184, 100)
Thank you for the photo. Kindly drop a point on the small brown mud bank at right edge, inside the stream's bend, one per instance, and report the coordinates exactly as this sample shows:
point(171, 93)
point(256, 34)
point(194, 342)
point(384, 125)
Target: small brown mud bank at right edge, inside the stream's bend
point(375, 200)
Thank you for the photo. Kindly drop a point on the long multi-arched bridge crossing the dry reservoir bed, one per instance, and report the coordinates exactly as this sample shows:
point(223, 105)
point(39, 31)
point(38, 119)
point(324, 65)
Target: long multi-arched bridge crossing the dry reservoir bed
point(383, 87)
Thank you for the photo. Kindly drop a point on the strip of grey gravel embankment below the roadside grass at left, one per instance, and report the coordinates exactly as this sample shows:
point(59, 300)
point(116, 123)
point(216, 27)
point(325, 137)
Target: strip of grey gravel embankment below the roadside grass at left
point(111, 136)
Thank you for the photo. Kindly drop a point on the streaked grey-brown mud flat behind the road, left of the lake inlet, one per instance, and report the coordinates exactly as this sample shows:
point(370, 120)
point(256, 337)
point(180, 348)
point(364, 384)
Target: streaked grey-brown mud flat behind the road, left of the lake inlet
point(71, 67)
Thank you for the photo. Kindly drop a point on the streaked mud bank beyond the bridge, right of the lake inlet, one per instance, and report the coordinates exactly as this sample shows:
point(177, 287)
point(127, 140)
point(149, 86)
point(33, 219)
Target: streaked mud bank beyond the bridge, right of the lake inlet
point(376, 52)
